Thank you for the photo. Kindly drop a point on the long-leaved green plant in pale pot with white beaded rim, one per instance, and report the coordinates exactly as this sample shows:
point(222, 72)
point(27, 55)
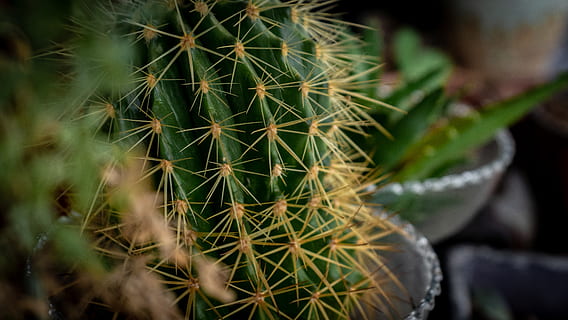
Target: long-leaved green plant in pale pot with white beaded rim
point(441, 159)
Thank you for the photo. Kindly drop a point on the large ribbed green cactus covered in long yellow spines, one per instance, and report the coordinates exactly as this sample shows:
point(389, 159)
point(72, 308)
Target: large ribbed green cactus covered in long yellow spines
point(239, 111)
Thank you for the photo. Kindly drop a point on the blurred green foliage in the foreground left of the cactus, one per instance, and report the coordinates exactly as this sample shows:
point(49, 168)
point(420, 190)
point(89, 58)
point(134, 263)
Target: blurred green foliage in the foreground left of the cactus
point(49, 156)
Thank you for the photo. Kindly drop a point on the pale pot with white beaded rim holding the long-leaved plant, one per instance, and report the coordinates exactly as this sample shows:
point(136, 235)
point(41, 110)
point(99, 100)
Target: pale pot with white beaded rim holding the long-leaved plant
point(440, 207)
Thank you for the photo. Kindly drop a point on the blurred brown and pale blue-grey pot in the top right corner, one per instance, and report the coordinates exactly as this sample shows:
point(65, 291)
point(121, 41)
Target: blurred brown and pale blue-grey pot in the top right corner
point(507, 40)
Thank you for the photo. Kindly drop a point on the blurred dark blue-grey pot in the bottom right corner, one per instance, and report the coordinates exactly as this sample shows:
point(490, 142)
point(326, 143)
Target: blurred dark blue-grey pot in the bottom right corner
point(485, 281)
